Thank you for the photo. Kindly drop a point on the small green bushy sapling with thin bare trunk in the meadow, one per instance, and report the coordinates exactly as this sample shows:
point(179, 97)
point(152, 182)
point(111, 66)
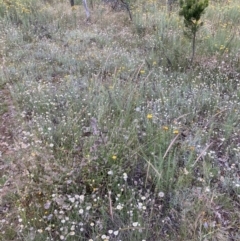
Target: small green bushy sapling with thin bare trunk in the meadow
point(192, 10)
